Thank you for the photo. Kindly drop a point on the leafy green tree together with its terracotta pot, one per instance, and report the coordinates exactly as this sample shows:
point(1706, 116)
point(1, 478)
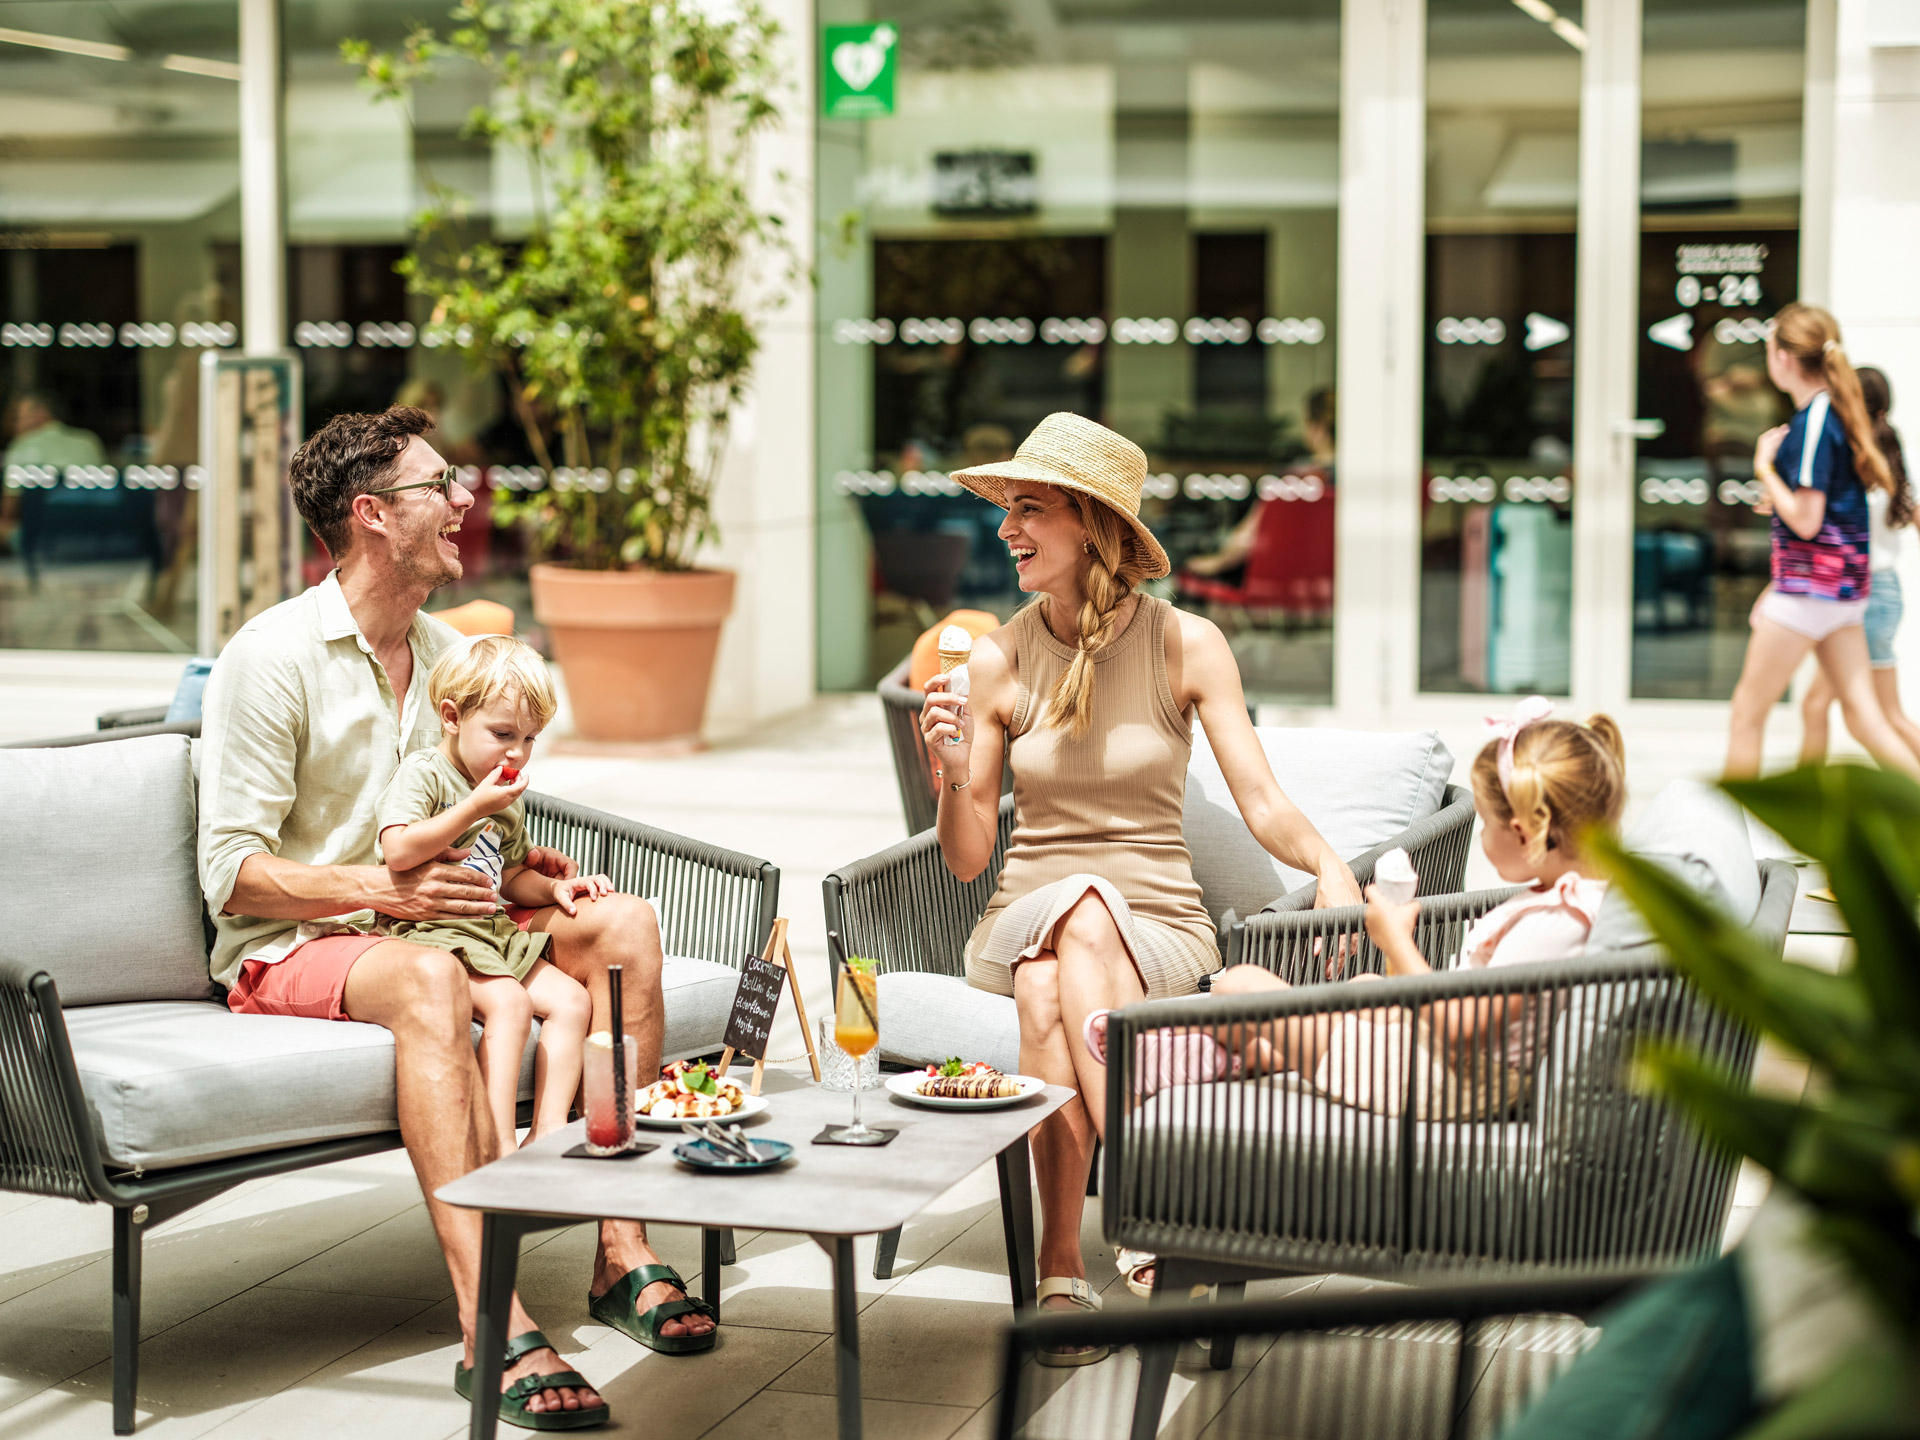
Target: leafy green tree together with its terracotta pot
point(617, 324)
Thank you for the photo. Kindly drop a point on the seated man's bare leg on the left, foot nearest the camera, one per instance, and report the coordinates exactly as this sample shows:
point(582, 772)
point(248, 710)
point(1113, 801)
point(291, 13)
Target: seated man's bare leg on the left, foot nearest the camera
point(423, 997)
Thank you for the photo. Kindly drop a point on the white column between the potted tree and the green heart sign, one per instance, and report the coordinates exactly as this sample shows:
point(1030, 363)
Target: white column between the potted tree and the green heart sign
point(765, 496)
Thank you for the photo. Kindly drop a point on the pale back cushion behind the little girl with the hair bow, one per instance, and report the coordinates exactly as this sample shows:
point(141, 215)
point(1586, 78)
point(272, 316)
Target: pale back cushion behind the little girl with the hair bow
point(1702, 838)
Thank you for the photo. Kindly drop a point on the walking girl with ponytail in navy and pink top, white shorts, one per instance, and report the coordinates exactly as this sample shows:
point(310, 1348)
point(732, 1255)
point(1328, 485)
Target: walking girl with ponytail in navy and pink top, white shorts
point(1815, 471)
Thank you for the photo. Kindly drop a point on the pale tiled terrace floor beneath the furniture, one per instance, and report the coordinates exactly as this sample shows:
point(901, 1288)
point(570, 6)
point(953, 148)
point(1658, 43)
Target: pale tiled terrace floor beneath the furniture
point(318, 1305)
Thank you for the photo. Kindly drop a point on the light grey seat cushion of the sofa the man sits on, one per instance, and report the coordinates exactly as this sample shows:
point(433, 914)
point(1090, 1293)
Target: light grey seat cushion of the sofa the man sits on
point(180, 1084)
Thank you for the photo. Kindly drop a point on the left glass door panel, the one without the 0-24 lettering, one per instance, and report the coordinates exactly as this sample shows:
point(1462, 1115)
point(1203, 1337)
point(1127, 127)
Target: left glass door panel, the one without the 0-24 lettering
point(1502, 214)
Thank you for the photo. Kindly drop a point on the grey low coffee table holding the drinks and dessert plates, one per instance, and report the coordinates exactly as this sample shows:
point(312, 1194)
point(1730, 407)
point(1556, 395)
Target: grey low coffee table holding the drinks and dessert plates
point(827, 1191)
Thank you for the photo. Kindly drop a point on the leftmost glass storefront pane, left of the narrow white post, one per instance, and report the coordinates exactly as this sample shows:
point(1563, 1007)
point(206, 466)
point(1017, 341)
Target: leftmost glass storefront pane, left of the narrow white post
point(120, 239)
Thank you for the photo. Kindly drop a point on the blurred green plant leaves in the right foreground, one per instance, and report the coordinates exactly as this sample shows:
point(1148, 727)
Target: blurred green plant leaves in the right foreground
point(1852, 1145)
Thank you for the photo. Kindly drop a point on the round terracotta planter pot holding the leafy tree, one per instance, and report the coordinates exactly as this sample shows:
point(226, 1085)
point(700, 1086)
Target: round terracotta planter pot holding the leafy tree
point(636, 646)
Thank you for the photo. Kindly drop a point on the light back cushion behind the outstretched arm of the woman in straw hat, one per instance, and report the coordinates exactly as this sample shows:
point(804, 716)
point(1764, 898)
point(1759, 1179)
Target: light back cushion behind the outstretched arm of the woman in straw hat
point(1358, 788)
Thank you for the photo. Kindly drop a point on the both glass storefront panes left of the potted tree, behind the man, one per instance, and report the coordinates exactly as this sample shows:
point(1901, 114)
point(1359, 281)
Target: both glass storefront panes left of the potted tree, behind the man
point(120, 237)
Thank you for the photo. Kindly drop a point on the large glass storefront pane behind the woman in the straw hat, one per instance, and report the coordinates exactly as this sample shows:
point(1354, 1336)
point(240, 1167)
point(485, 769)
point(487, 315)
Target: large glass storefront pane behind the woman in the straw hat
point(1128, 212)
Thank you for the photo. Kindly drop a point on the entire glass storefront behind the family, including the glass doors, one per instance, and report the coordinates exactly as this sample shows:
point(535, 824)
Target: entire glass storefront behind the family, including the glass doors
point(1126, 208)
